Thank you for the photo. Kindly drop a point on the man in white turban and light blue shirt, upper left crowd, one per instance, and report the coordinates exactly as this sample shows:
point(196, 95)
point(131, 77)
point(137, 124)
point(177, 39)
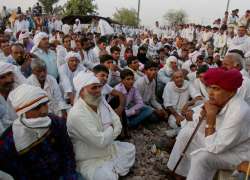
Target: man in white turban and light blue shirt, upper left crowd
point(41, 49)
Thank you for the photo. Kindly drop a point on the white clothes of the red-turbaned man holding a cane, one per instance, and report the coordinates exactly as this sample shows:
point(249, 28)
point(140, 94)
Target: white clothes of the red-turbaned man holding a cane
point(224, 149)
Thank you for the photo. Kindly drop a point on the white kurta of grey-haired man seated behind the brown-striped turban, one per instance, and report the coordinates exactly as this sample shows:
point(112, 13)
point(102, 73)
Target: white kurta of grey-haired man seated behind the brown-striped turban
point(56, 101)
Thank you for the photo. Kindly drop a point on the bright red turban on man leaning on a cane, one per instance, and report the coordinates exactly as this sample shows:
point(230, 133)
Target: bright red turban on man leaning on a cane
point(229, 80)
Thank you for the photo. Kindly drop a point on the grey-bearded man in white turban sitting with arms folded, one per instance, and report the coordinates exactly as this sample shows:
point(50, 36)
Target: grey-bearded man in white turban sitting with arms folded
point(93, 126)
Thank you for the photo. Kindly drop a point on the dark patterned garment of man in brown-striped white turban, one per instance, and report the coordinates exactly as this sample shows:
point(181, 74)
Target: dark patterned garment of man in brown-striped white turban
point(51, 157)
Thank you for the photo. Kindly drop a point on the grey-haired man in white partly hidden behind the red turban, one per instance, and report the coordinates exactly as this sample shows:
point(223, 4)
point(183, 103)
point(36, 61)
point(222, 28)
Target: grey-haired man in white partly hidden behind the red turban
point(235, 61)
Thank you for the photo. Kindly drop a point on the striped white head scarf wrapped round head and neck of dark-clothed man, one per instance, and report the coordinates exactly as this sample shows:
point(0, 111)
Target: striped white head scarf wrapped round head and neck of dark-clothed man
point(27, 131)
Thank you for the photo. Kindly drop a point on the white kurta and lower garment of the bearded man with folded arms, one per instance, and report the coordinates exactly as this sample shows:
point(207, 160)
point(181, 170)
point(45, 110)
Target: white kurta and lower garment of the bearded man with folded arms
point(98, 156)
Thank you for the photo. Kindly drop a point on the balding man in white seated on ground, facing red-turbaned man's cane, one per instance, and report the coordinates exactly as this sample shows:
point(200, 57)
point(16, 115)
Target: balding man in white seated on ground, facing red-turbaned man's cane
point(176, 96)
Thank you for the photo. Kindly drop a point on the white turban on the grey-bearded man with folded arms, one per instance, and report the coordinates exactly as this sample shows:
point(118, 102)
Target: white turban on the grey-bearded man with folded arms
point(84, 79)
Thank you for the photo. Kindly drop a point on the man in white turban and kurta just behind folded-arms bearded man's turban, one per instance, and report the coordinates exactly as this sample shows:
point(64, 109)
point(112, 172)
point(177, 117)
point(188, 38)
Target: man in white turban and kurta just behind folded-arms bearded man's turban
point(67, 72)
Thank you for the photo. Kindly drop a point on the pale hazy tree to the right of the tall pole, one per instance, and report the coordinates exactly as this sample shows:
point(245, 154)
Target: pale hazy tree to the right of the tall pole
point(175, 17)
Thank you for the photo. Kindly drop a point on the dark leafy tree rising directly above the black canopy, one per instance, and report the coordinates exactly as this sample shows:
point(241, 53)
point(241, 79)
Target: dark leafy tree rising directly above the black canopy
point(80, 7)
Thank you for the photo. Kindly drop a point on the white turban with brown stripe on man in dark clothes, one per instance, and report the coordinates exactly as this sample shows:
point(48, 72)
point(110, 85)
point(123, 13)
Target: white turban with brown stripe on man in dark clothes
point(26, 97)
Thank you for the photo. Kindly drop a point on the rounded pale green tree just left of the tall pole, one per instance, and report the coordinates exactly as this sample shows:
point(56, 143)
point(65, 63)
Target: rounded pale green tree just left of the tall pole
point(126, 16)
